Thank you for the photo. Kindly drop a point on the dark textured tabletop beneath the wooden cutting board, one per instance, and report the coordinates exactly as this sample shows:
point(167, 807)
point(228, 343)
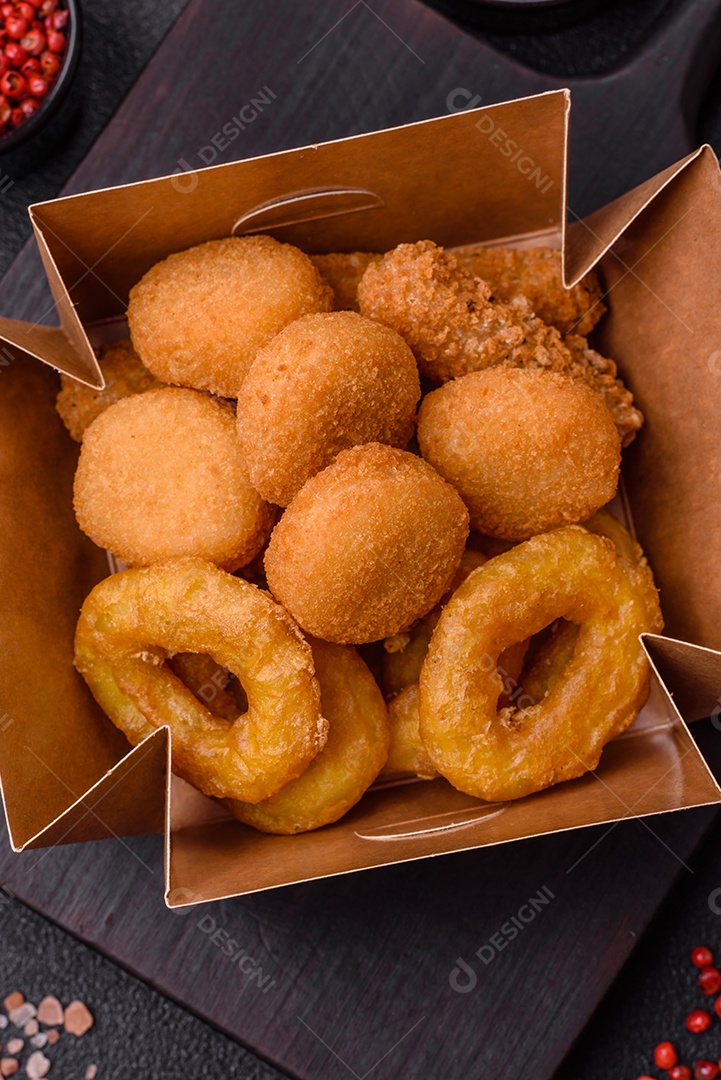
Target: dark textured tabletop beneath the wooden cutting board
point(139, 1033)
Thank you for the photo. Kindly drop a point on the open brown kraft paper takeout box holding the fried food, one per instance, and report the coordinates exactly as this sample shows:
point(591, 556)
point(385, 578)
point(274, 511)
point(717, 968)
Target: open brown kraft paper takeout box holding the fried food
point(477, 177)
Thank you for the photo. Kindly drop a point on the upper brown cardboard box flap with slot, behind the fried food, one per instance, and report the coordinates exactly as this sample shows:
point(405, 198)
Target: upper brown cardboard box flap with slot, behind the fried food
point(509, 180)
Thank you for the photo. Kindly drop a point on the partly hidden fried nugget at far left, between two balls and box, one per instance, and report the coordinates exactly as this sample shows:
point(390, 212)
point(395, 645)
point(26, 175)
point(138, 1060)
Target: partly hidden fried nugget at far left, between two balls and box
point(78, 406)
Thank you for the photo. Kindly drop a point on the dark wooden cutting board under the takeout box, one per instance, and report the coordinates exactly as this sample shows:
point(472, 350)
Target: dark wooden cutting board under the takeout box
point(360, 969)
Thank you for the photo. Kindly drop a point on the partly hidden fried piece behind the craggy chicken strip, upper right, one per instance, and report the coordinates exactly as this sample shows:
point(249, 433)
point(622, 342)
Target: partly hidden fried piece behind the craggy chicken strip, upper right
point(536, 274)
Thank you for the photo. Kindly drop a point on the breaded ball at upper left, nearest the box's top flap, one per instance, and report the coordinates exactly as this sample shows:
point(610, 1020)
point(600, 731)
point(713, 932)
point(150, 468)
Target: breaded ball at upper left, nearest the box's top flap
point(198, 318)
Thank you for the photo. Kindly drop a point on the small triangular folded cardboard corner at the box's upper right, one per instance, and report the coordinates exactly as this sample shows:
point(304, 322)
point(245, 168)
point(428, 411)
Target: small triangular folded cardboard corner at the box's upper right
point(588, 240)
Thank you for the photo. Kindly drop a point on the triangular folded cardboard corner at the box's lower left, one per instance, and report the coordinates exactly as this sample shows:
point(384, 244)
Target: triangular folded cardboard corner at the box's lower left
point(131, 800)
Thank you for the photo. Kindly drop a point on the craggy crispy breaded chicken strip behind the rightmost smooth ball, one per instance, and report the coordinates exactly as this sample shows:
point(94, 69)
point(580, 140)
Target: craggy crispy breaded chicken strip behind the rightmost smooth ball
point(455, 327)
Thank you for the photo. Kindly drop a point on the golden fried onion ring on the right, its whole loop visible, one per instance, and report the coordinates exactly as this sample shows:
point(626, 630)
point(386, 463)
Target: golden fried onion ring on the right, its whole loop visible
point(504, 755)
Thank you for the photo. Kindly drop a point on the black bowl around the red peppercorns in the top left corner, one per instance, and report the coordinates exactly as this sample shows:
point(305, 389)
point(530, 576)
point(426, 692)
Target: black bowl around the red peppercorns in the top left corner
point(25, 146)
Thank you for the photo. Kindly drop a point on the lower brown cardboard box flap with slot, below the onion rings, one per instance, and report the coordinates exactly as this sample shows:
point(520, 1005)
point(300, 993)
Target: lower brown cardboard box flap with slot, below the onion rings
point(654, 768)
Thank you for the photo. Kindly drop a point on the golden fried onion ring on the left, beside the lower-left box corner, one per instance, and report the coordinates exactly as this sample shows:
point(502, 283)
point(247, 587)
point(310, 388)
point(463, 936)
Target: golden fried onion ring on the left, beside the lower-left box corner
point(134, 622)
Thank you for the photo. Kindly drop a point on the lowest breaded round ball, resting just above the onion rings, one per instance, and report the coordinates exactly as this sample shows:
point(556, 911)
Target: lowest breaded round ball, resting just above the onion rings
point(368, 546)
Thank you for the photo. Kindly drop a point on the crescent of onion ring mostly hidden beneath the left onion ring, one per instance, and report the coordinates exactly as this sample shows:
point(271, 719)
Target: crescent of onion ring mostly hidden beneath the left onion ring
point(353, 757)
